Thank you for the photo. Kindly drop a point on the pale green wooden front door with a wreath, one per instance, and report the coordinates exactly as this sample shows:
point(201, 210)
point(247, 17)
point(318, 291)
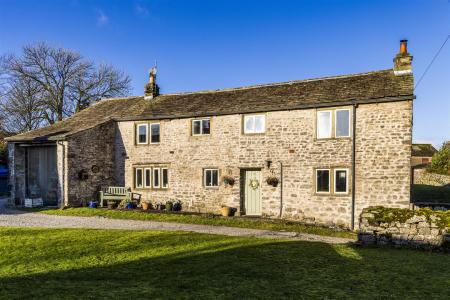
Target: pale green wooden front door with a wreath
point(252, 193)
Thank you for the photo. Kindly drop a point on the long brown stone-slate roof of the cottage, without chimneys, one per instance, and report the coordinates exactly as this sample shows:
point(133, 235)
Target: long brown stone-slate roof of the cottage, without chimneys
point(379, 86)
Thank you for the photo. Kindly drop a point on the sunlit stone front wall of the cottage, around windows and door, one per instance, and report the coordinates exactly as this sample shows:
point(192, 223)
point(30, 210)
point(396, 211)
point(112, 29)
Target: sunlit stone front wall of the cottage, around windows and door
point(383, 148)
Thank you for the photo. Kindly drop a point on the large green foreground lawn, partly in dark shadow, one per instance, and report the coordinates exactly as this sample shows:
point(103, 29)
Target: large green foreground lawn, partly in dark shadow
point(116, 264)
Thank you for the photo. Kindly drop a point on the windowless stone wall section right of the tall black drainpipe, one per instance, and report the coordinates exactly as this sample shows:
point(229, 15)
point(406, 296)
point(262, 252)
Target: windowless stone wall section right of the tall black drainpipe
point(383, 153)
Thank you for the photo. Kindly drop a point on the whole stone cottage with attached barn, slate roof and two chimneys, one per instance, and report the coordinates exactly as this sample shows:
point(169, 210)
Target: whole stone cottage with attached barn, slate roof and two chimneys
point(329, 147)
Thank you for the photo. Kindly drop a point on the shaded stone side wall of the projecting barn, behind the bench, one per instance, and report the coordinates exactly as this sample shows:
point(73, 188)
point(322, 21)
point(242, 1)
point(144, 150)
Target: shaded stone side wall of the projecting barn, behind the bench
point(91, 152)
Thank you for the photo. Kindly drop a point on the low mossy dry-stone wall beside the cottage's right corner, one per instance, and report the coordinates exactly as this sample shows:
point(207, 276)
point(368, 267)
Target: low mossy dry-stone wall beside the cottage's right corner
point(421, 228)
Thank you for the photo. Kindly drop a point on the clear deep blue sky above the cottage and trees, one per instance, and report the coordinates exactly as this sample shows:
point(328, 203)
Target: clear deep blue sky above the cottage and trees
point(217, 44)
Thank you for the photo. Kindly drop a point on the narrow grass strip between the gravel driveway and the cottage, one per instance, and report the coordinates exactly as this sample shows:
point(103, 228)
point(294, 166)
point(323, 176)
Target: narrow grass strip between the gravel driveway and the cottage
point(265, 224)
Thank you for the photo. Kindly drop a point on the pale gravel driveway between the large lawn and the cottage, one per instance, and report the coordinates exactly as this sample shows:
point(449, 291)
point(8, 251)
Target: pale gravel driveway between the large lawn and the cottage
point(17, 218)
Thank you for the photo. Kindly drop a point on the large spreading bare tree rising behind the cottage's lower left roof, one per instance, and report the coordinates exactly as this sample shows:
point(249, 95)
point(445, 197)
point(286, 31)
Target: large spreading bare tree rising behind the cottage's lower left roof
point(66, 81)
